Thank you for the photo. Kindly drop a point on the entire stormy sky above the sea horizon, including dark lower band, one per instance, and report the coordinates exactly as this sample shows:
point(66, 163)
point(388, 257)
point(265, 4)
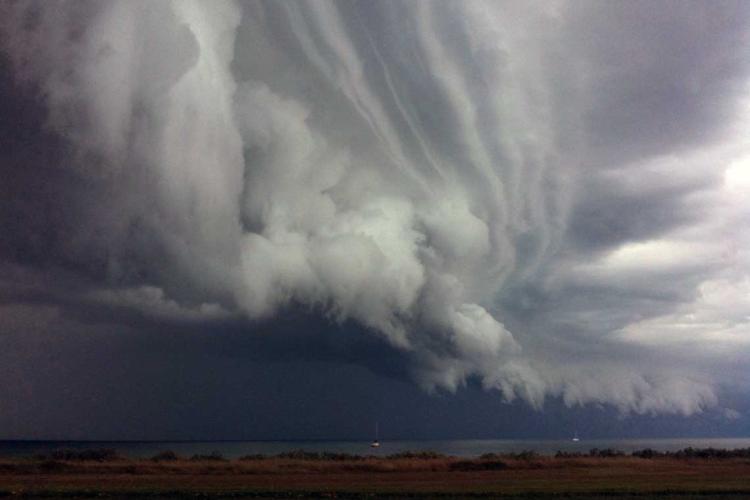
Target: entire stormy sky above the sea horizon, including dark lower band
point(286, 220)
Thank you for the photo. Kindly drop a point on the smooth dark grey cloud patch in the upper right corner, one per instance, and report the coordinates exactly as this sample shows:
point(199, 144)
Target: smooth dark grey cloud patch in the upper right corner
point(663, 76)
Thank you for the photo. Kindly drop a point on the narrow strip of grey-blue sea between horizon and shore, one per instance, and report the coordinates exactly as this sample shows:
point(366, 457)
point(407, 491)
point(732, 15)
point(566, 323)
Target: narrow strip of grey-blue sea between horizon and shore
point(462, 448)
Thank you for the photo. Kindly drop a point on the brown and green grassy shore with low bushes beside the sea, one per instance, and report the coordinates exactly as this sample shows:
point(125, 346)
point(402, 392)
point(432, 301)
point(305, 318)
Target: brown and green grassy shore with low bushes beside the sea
point(607, 474)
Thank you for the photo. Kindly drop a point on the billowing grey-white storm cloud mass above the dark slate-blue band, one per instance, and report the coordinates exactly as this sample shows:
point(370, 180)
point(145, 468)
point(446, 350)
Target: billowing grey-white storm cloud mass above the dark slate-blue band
point(530, 195)
